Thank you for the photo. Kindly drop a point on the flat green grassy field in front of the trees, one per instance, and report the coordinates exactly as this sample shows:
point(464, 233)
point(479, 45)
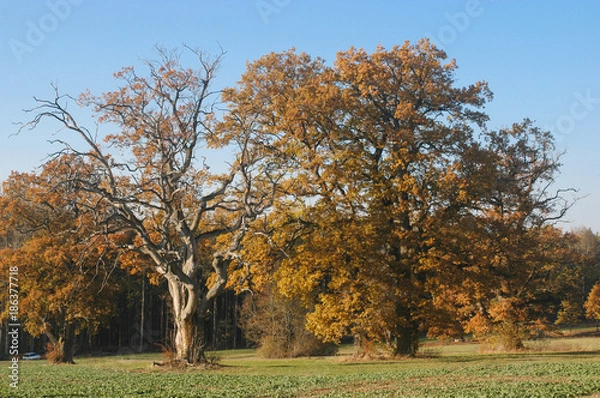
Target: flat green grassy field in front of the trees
point(567, 367)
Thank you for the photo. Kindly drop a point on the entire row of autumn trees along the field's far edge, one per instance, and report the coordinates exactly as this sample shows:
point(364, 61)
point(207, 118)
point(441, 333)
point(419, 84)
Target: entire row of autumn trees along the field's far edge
point(364, 199)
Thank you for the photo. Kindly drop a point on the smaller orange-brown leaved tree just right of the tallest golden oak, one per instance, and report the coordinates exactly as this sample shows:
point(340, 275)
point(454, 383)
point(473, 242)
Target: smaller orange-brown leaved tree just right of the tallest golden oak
point(500, 251)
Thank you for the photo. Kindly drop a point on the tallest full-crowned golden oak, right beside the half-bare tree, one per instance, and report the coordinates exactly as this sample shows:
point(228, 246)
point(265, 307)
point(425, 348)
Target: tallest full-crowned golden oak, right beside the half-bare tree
point(373, 141)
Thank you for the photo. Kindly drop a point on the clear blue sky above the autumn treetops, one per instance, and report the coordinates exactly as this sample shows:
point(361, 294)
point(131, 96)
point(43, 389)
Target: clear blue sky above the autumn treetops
point(541, 58)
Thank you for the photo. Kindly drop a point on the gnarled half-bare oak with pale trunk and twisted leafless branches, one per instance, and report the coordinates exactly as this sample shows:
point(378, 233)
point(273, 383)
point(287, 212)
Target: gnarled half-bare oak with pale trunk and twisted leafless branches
point(162, 194)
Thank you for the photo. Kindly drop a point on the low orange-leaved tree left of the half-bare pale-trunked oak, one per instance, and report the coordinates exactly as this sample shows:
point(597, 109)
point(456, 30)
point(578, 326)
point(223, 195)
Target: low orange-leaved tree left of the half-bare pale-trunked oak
point(63, 256)
